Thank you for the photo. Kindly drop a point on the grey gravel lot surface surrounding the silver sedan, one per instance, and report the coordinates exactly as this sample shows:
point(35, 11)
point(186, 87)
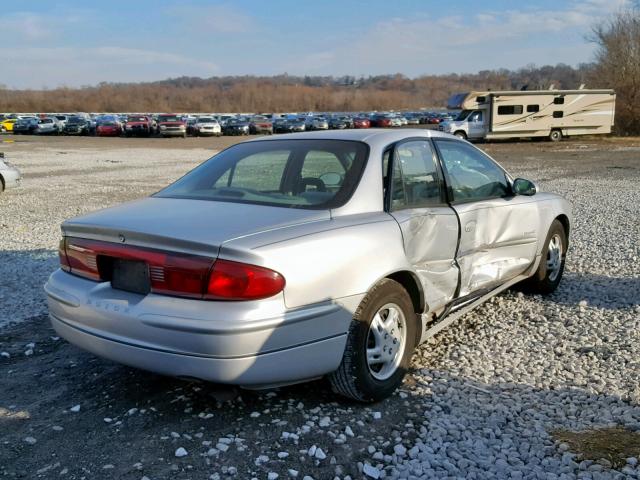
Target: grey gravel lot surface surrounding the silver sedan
point(484, 399)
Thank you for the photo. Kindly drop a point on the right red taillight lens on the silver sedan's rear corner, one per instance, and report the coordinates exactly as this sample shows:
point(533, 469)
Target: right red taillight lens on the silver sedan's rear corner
point(238, 281)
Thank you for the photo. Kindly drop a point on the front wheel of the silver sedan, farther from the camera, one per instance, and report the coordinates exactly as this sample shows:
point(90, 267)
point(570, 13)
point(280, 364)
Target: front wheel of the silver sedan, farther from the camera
point(549, 273)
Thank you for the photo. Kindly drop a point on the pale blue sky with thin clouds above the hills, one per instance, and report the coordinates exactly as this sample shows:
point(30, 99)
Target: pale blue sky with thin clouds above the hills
point(51, 43)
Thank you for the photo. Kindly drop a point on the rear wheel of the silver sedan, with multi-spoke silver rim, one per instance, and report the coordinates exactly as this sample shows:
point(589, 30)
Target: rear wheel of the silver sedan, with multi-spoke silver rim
point(363, 380)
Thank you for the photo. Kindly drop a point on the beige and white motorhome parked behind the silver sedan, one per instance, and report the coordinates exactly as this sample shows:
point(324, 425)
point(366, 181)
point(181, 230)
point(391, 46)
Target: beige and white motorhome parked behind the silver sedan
point(553, 114)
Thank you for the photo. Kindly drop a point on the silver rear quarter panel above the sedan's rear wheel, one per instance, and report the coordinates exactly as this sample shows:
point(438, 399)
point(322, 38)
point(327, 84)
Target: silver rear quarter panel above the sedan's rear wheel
point(325, 261)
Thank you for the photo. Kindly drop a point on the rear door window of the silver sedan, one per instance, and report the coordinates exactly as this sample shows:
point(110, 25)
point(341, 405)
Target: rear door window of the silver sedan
point(414, 180)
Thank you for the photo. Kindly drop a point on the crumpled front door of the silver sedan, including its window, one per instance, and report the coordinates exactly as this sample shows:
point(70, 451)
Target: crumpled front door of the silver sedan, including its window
point(499, 231)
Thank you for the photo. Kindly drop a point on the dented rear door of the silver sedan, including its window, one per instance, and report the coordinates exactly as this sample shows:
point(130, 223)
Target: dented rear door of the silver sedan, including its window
point(415, 197)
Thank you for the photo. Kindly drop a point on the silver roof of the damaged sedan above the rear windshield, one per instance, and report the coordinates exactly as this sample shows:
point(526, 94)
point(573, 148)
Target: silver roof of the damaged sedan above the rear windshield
point(370, 135)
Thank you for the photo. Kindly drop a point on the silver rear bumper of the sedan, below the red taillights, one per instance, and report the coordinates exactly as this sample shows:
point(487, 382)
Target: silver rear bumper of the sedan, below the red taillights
point(252, 344)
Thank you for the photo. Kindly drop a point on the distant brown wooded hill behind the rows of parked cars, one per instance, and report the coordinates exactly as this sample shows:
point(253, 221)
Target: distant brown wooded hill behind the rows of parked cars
point(284, 93)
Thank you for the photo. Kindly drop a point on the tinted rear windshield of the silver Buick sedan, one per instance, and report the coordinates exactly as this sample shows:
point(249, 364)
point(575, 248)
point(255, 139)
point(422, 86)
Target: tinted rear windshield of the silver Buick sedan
point(313, 174)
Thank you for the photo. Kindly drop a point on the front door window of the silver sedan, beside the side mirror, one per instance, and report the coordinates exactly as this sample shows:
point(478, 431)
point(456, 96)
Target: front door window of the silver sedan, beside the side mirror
point(470, 173)
